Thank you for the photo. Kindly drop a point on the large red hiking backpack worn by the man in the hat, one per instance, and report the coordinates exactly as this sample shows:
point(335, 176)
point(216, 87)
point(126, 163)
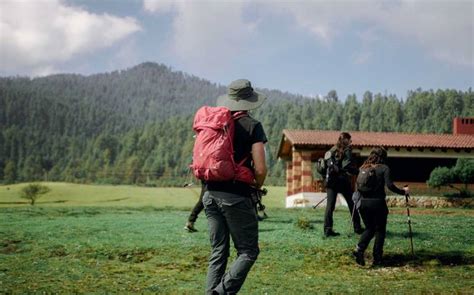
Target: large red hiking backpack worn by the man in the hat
point(213, 152)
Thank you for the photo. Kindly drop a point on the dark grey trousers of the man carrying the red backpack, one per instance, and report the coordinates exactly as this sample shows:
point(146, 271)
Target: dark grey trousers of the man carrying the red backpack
point(229, 216)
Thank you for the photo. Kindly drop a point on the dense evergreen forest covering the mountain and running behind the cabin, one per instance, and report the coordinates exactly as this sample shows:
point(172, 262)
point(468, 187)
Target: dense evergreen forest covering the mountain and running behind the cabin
point(135, 126)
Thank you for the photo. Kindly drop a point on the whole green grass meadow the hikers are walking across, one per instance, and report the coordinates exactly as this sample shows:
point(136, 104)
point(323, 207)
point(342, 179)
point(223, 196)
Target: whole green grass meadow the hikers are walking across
point(124, 239)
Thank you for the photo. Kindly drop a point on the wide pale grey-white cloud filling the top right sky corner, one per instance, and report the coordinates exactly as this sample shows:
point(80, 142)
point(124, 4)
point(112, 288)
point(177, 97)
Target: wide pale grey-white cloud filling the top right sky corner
point(444, 29)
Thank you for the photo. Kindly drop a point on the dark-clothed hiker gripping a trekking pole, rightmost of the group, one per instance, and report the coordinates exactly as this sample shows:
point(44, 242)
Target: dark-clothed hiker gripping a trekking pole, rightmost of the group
point(373, 207)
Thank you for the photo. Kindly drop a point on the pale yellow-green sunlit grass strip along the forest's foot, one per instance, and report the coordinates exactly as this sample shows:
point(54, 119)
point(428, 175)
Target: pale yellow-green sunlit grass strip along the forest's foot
point(68, 194)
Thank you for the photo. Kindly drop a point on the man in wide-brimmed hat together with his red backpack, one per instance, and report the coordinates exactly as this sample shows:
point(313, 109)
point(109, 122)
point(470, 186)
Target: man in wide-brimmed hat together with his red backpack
point(227, 202)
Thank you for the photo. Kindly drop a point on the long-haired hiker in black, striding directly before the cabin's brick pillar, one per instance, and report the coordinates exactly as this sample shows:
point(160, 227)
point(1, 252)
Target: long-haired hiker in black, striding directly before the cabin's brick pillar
point(341, 183)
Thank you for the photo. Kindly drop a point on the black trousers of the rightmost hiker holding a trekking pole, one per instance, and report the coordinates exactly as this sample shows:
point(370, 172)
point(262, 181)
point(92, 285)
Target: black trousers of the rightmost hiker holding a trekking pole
point(375, 220)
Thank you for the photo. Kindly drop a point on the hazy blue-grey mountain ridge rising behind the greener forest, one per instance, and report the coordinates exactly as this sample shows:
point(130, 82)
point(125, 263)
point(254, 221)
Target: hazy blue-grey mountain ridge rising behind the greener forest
point(132, 97)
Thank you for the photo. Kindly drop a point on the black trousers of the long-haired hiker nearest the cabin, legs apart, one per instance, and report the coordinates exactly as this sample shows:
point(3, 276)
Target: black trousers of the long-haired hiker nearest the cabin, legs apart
point(342, 186)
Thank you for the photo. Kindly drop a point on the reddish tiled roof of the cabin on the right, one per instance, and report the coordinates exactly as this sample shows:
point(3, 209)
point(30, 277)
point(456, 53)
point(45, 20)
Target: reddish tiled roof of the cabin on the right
point(385, 139)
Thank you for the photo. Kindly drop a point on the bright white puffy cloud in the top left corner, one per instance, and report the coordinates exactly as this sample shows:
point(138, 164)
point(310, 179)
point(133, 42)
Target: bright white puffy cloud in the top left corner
point(37, 36)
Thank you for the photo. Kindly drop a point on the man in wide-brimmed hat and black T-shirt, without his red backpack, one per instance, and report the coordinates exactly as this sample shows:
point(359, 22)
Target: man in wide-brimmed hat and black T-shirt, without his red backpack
point(228, 206)
